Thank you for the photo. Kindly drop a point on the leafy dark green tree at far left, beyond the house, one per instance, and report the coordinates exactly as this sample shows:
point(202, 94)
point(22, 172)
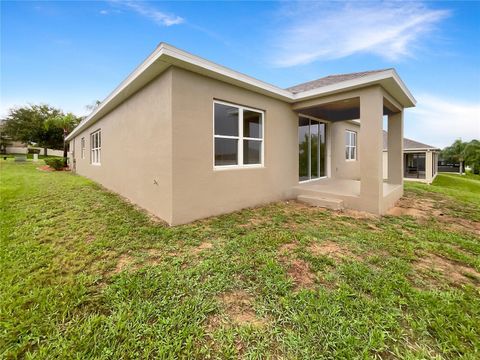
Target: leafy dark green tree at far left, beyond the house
point(28, 125)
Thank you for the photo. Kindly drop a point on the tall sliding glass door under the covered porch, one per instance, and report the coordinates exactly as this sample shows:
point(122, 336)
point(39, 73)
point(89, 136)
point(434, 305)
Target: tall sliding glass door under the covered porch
point(311, 149)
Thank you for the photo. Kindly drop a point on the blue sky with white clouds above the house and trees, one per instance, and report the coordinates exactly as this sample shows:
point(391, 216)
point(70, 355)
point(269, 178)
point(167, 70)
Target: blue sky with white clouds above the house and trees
point(70, 54)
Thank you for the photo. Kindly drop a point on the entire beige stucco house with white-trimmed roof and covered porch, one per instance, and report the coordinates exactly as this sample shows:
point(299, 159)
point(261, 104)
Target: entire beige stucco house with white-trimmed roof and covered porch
point(186, 138)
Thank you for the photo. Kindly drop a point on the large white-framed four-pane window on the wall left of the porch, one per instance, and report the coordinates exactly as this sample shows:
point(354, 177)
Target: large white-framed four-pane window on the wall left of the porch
point(238, 136)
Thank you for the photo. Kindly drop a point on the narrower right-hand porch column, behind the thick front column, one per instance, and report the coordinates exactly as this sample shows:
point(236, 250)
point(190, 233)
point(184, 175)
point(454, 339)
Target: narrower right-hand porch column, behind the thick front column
point(395, 148)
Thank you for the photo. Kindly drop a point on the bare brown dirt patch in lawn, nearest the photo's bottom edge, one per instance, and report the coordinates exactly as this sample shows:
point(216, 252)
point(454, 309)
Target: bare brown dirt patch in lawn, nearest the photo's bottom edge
point(239, 309)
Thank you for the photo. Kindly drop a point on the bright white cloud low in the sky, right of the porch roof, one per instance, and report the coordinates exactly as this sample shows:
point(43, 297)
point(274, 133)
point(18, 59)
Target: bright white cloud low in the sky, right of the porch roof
point(439, 121)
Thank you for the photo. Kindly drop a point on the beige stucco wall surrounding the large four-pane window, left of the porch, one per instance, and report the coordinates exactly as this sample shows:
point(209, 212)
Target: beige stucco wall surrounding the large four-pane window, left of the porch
point(200, 191)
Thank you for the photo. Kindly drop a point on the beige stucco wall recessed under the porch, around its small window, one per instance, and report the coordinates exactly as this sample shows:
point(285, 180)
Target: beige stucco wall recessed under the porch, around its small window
point(341, 167)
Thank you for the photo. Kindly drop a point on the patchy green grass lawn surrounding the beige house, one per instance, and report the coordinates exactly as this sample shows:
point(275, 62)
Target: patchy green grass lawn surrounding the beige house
point(87, 275)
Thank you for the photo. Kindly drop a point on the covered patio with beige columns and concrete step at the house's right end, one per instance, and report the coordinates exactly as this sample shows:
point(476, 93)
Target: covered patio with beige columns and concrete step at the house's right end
point(364, 189)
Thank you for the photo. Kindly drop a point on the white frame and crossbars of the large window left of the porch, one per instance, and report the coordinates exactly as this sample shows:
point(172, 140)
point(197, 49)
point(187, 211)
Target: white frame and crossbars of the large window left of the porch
point(240, 138)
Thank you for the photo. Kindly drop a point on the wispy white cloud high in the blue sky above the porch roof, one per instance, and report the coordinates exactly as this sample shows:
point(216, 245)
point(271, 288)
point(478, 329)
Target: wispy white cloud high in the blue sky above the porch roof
point(310, 31)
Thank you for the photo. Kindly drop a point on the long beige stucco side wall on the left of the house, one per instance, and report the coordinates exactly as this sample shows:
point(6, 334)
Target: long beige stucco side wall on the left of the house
point(136, 155)
